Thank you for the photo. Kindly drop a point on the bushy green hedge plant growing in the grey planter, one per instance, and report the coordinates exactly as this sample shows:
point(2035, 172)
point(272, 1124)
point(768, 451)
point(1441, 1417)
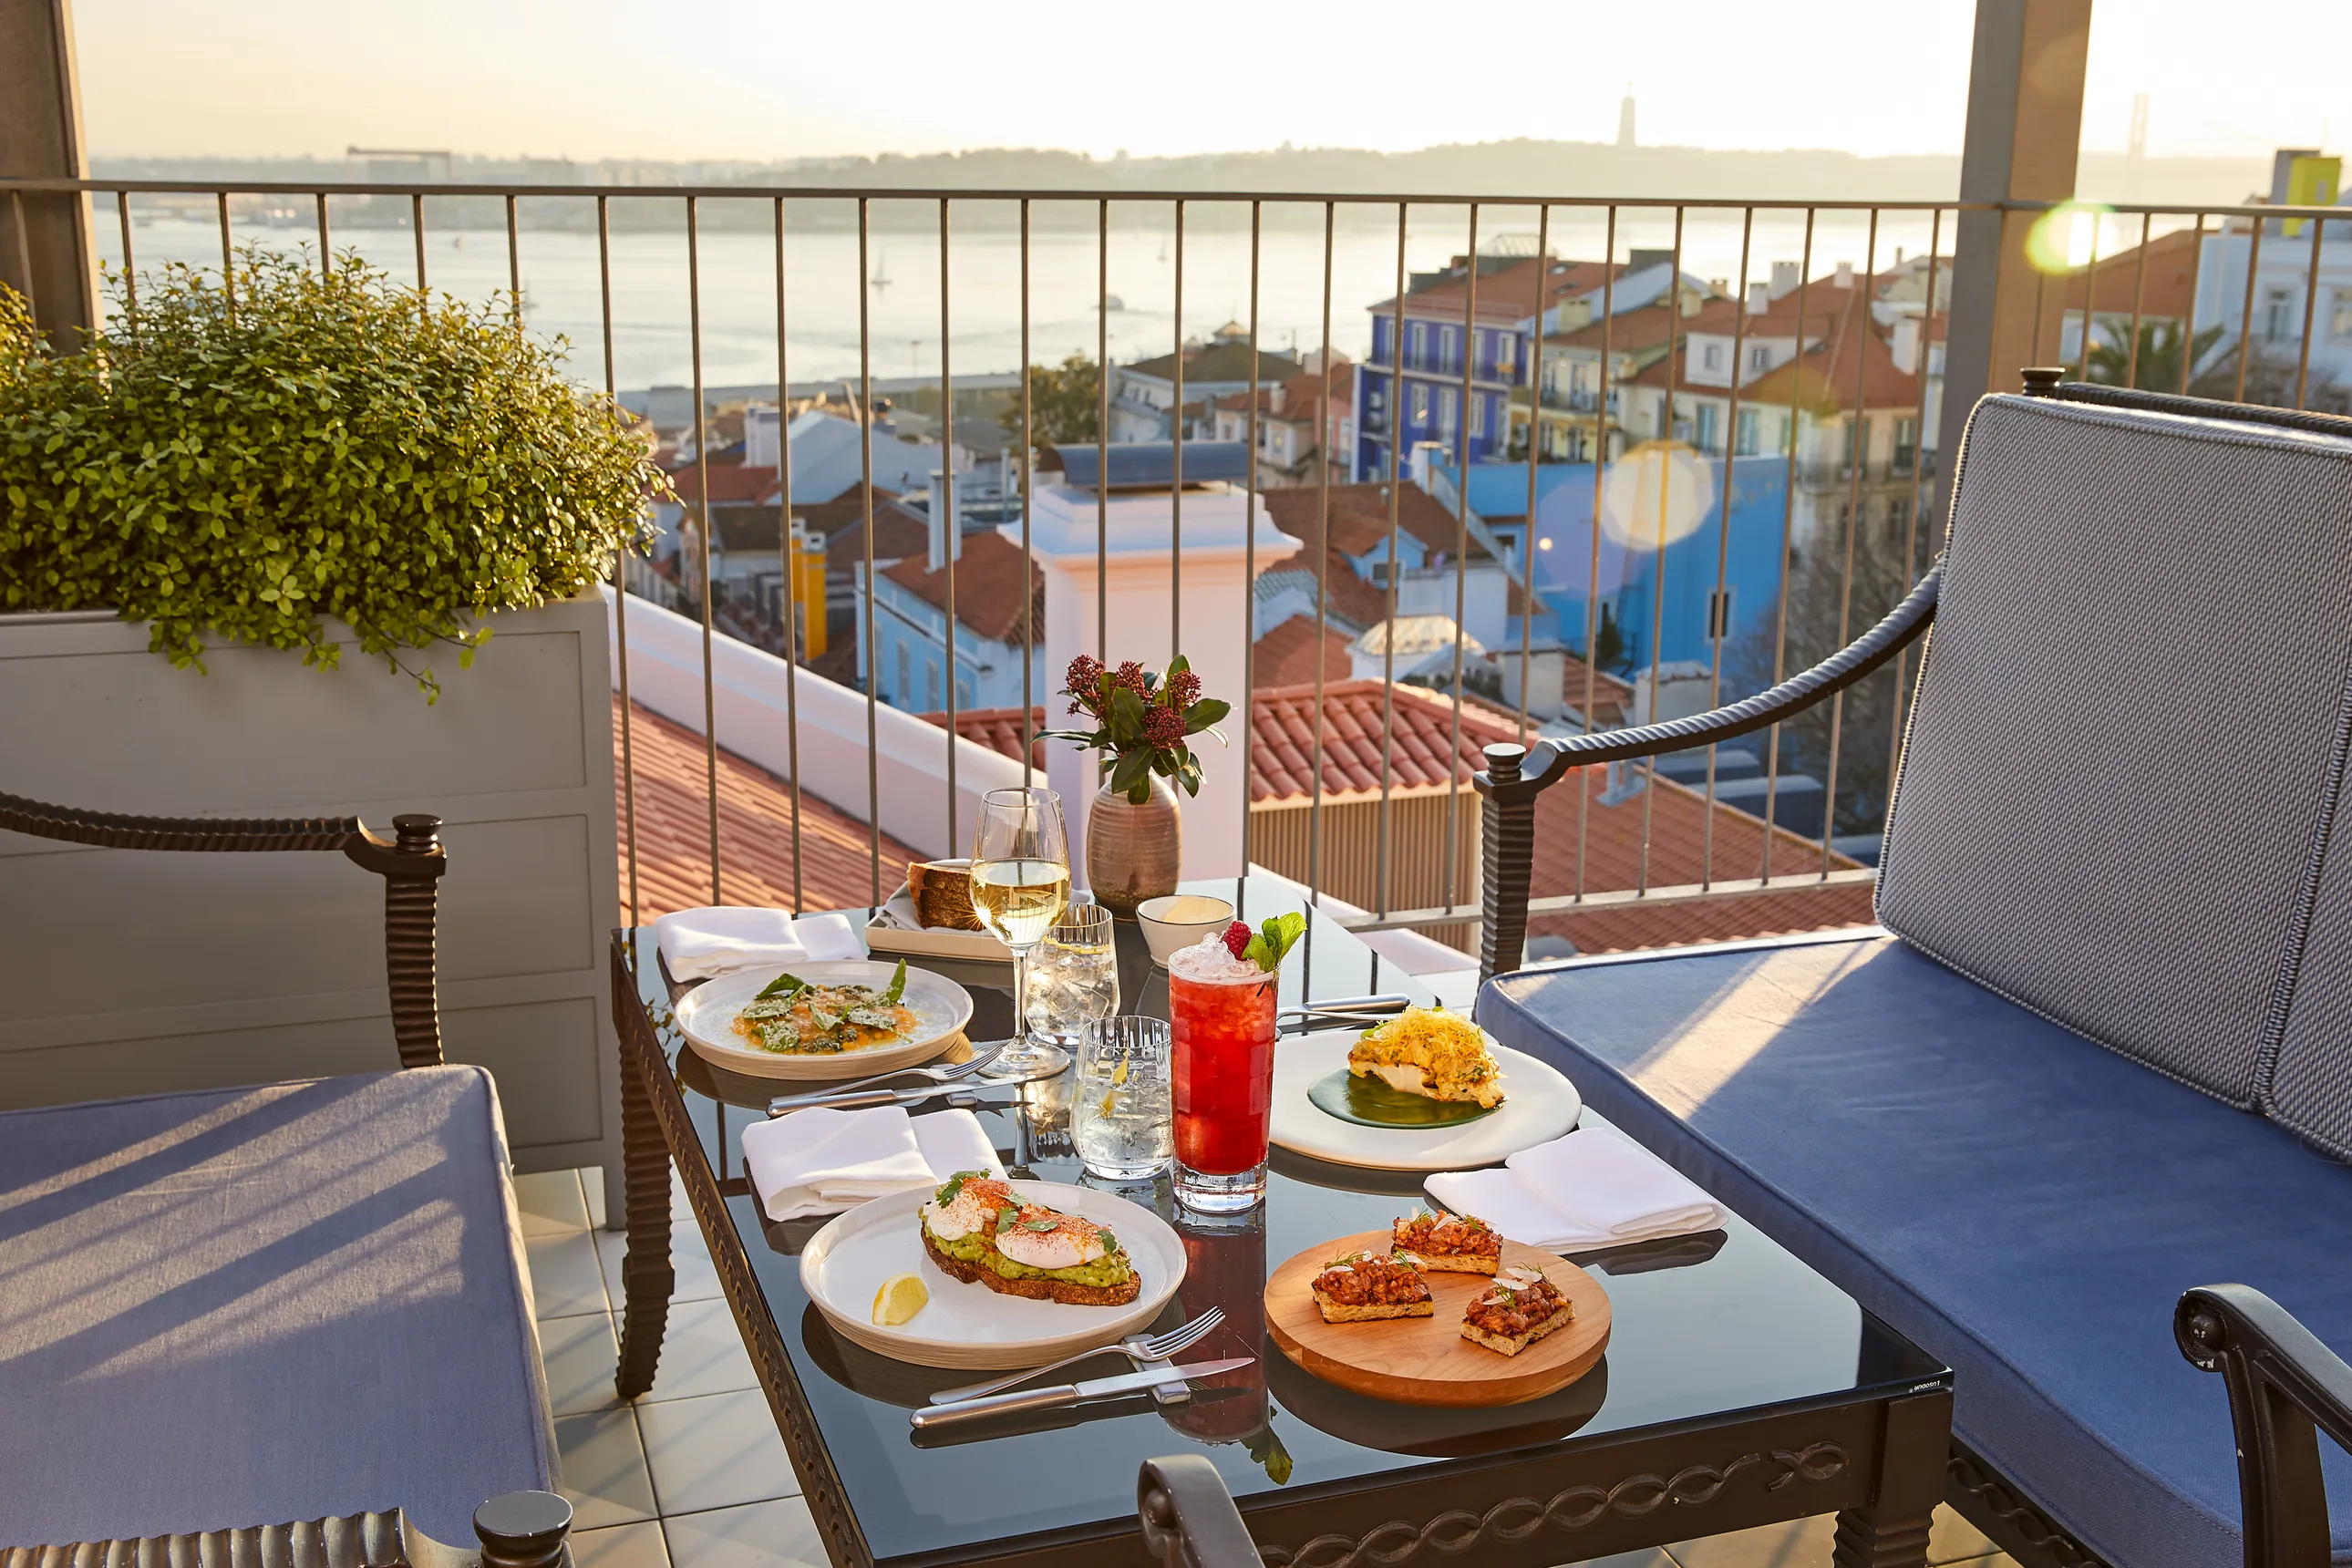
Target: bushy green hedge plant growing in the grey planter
point(246, 462)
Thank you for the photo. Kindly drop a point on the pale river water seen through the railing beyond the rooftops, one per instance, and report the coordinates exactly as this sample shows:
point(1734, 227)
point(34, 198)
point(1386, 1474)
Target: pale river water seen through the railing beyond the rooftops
point(650, 297)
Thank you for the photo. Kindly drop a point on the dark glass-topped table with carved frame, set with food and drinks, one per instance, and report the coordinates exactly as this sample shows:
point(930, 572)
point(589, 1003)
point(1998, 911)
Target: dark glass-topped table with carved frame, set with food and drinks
point(1739, 1386)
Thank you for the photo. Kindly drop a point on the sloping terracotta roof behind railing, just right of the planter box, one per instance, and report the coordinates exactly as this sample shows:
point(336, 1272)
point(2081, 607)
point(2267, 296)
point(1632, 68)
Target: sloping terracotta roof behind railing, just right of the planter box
point(756, 831)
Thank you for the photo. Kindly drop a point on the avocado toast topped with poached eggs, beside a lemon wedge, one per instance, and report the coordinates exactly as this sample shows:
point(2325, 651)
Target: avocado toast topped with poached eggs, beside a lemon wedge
point(980, 1231)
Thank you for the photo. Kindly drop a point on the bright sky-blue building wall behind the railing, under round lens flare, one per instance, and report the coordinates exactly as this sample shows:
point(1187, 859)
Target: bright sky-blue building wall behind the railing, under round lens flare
point(1631, 579)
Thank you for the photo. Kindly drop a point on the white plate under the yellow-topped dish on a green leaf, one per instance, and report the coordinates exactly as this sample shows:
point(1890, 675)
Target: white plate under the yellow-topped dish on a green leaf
point(1537, 1108)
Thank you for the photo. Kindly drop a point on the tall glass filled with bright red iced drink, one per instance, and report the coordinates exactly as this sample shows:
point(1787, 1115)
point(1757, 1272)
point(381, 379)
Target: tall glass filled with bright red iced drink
point(1222, 1017)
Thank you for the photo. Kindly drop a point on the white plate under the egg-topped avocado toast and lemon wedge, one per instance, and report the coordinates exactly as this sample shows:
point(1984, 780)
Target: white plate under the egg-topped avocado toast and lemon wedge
point(968, 1325)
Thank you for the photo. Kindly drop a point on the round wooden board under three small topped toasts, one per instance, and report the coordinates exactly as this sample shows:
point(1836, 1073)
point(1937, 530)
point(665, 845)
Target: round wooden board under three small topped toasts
point(1424, 1360)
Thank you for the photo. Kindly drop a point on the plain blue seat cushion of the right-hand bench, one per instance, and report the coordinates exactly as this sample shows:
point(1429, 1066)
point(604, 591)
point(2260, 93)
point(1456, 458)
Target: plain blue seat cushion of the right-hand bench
point(2017, 1200)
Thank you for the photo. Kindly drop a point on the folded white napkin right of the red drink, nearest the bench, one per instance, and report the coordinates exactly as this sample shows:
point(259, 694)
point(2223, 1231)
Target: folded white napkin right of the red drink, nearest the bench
point(1582, 1193)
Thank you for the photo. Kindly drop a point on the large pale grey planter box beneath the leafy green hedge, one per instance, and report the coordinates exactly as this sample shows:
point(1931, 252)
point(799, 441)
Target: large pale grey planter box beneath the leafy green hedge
point(131, 972)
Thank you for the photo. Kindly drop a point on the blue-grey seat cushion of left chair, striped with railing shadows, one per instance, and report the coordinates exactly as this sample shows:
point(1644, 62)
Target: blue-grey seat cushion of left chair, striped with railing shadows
point(253, 1306)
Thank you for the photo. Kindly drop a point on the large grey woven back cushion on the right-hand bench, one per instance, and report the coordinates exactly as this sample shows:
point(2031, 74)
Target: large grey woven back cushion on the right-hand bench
point(2069, 742)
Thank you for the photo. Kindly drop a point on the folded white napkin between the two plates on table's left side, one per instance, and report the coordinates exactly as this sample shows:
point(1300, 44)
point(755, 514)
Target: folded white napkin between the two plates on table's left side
point(827, 1160)
